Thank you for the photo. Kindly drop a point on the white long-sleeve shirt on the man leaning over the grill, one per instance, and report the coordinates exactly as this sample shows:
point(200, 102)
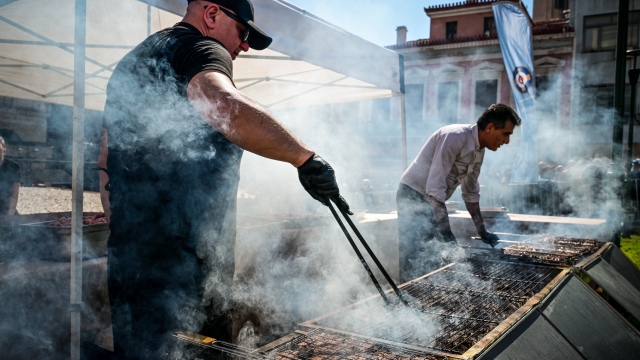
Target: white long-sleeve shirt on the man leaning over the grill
point(452, 156)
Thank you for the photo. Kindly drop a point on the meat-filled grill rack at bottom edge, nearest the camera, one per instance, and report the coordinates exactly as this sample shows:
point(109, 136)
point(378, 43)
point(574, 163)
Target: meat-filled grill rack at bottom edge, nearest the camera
point(324, 344)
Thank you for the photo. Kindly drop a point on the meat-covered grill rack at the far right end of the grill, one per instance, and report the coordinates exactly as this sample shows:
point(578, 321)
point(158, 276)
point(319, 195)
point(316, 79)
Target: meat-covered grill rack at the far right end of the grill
point(552, 250)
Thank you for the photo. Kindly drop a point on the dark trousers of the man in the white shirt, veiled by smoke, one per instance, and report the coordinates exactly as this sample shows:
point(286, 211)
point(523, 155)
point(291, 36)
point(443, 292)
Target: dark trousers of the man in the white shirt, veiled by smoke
point(421, 247)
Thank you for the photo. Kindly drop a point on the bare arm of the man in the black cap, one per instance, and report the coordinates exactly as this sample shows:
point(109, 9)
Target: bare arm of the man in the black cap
point(242, 120)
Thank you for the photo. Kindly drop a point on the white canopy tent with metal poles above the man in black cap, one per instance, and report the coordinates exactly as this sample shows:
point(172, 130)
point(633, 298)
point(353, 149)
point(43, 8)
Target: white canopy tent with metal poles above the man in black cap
point(47, 56)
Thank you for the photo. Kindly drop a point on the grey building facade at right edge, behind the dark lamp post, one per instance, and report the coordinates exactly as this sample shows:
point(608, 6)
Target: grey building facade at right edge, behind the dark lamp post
point(594, 73)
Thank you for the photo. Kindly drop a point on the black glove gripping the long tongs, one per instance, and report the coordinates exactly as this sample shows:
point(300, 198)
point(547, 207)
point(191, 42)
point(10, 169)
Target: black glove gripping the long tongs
point(319, 179)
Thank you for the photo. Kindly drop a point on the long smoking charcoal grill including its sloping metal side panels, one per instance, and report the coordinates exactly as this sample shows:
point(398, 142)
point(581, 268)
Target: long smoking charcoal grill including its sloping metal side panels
point(487, 308)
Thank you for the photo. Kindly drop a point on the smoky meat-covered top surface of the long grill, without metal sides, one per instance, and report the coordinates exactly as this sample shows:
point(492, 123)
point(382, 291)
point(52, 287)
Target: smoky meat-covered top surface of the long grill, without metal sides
point(456, 312)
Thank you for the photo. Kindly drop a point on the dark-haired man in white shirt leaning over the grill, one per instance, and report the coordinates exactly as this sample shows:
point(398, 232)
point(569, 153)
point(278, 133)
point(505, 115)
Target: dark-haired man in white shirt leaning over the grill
point(451, 157)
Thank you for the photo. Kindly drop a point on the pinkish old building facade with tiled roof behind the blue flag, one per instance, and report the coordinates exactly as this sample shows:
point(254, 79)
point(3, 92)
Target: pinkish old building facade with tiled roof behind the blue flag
point(456, 73)
